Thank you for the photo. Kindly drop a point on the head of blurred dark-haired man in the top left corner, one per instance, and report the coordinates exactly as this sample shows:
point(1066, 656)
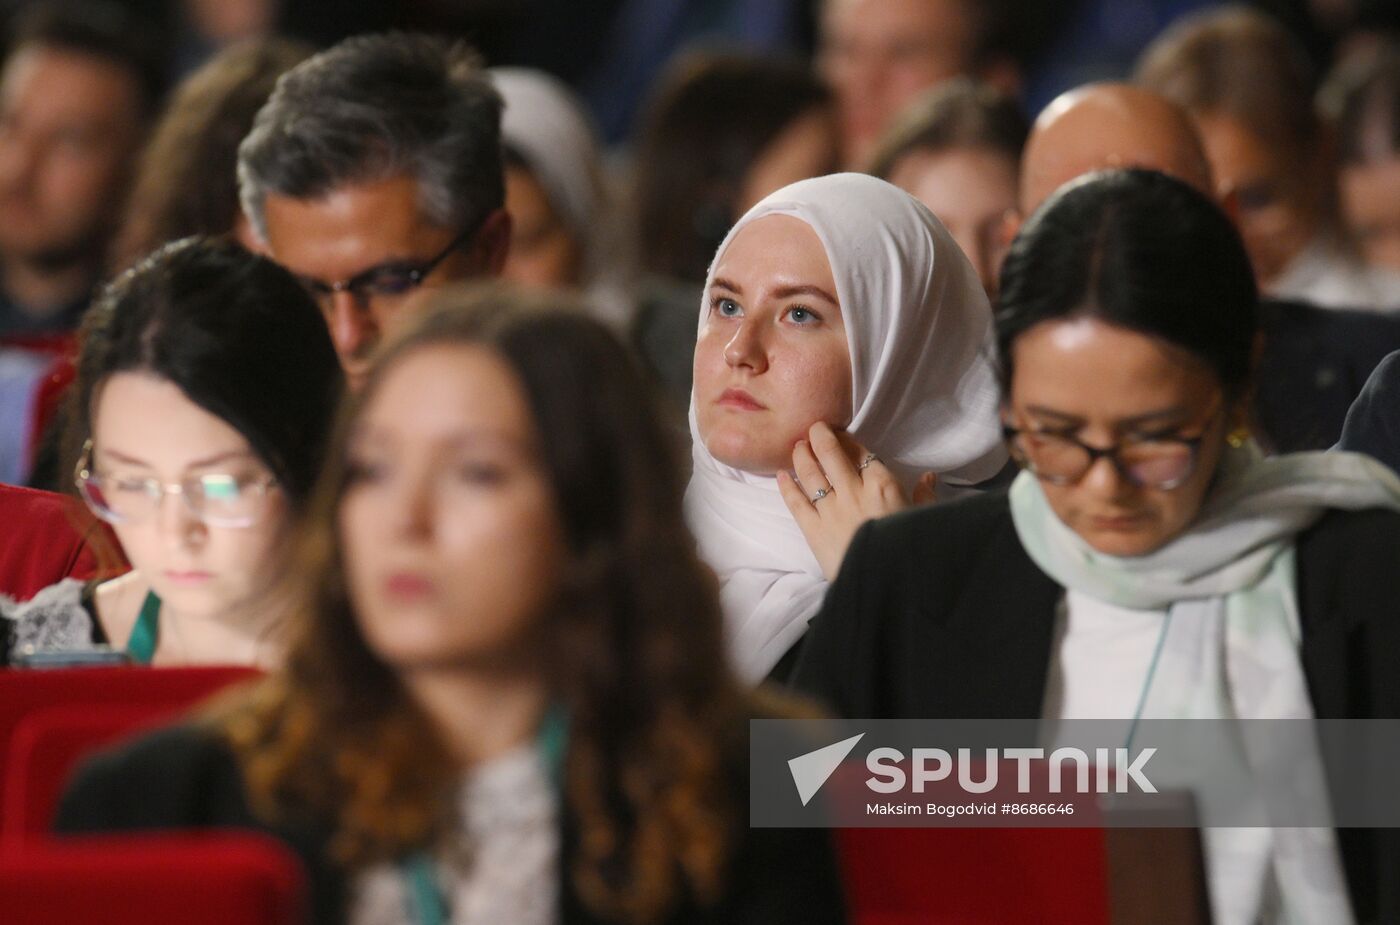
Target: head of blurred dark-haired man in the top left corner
point(78, 92)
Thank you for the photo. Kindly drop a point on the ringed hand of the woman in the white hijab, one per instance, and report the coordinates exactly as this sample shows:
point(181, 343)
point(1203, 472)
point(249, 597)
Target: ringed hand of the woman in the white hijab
point(839, 486)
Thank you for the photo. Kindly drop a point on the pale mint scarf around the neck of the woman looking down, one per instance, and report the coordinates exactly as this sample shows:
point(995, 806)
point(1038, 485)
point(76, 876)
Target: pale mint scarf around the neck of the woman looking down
point(1231, 646)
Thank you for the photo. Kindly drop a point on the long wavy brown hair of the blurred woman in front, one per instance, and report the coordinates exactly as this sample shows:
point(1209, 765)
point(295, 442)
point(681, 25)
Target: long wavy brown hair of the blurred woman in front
point(635, 649)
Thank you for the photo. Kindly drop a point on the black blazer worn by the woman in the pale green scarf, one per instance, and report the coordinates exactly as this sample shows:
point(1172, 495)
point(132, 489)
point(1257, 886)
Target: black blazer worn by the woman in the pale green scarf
point(940, 614)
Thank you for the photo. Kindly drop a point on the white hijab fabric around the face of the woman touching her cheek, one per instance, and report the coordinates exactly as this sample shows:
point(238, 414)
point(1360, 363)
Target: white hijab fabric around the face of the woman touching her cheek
point(925, 398)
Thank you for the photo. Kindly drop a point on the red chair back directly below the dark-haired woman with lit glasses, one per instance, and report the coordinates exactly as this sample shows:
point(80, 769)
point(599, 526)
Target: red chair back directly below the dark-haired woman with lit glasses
point(166, 692)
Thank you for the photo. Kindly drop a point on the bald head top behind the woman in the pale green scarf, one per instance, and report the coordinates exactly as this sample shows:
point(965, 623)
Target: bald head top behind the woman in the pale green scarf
point(1102, 127)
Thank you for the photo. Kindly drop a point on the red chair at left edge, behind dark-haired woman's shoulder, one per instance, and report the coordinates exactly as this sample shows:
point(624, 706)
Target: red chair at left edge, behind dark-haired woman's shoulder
point(48, 538)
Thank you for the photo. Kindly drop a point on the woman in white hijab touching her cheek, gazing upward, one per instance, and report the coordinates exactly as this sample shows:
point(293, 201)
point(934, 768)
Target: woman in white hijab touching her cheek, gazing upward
point(836, 304)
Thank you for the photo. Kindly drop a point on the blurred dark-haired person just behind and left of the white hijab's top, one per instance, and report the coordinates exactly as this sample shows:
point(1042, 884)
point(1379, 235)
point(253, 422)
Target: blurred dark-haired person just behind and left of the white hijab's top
point(720, 134)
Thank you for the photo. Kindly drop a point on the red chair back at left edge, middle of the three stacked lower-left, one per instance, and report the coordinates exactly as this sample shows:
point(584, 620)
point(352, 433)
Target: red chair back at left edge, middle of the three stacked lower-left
point(47, 748)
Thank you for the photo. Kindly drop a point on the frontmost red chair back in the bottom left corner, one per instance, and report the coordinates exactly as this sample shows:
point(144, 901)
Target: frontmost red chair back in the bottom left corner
point(212, 880)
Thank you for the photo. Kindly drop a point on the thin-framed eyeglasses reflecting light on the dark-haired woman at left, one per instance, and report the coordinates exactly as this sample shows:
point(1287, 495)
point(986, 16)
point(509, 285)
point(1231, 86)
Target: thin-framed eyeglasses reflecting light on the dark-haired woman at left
point(215, 499)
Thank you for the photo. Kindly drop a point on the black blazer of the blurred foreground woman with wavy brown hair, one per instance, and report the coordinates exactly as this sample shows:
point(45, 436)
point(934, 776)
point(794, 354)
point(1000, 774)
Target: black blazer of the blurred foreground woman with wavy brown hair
point(187, 779)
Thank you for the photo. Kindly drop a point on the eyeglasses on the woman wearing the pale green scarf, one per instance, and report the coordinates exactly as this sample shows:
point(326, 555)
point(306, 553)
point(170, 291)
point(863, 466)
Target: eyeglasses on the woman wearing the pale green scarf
point(1153, 462)
